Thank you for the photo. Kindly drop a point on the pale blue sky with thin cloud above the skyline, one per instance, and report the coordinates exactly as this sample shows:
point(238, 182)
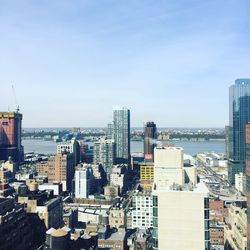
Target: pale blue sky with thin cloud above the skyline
point(168, 61)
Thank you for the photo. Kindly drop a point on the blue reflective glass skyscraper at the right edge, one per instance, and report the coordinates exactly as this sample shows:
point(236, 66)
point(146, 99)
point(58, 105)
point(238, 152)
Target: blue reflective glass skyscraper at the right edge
point(239, 116)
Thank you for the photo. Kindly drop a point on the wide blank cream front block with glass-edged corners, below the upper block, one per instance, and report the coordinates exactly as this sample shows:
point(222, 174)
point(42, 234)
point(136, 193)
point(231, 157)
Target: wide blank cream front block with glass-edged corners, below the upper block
point(181, 218)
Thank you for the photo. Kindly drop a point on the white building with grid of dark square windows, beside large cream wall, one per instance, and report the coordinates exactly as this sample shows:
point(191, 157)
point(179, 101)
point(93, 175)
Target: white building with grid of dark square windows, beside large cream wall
point(142, 213)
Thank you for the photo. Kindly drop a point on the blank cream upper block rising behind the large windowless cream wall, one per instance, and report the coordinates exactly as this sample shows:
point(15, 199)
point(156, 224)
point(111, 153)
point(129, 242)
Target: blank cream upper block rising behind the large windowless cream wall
point(168, 166)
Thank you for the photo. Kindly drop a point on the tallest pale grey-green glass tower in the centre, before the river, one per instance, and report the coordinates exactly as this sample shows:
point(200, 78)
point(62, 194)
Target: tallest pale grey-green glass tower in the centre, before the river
point(121, 131)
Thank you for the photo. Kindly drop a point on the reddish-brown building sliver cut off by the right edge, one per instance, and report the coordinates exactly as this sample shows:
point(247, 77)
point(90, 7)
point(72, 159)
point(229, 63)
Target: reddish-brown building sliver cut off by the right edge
point(248, 182)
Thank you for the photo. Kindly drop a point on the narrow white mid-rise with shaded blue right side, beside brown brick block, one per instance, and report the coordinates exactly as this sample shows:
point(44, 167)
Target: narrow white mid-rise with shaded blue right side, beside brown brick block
point(84, 181)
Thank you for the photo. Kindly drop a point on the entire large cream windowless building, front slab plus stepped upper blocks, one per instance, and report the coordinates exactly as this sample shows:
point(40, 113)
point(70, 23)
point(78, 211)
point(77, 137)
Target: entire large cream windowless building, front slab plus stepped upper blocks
point(180, 207)
